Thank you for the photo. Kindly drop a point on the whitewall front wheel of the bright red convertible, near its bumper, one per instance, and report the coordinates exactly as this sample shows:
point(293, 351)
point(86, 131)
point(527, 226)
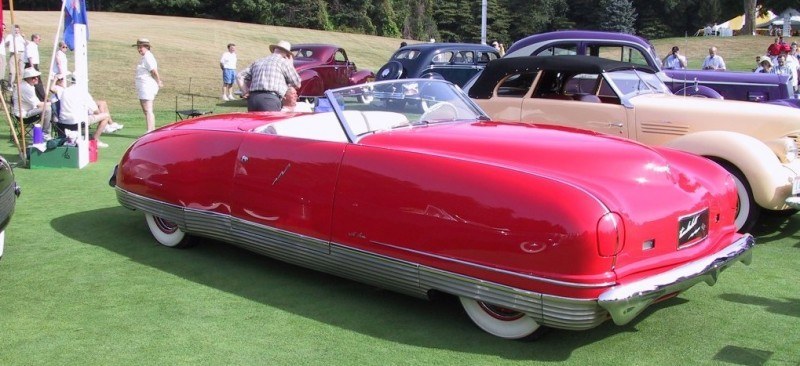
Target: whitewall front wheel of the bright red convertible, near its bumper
point(499, 321)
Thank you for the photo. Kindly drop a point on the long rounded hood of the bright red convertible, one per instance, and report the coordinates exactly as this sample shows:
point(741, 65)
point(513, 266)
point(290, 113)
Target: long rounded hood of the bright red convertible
point(643, 173)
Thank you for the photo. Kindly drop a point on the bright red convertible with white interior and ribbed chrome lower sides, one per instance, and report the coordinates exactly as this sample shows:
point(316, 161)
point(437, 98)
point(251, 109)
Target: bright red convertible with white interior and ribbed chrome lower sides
point(530, 226)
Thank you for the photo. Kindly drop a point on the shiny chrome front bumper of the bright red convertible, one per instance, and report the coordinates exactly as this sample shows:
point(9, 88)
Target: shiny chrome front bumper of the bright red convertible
point(625, 302)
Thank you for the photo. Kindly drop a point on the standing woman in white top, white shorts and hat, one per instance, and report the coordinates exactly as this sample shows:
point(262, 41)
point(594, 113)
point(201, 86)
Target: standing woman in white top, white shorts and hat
point(147, 81)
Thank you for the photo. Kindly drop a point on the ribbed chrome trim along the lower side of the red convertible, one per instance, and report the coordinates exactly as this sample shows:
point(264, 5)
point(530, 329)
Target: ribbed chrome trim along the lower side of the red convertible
point(398, 275)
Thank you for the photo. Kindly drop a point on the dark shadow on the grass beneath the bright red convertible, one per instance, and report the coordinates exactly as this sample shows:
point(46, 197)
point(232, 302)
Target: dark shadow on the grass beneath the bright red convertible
point(439, 323)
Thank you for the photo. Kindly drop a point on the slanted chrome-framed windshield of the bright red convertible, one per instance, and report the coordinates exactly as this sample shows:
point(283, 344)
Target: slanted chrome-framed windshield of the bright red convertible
point(386, 105)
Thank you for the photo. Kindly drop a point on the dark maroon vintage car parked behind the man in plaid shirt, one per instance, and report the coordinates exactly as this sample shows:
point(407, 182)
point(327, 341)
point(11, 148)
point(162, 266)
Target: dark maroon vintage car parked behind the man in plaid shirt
point(324, 66)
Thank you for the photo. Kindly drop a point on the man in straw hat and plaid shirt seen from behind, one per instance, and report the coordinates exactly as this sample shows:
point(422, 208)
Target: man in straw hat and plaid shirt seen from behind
point(266, 80)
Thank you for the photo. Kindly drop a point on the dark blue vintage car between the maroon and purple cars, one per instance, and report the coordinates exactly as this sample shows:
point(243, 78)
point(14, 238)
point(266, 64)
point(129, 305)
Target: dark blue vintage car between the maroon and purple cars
point(454, 62)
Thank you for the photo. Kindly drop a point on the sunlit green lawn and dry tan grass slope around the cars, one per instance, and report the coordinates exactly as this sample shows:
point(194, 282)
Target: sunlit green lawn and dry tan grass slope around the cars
point(83, 282)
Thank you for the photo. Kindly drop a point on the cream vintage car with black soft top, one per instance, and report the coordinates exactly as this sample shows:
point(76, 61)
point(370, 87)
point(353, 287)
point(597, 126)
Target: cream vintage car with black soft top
point(756, 143)
